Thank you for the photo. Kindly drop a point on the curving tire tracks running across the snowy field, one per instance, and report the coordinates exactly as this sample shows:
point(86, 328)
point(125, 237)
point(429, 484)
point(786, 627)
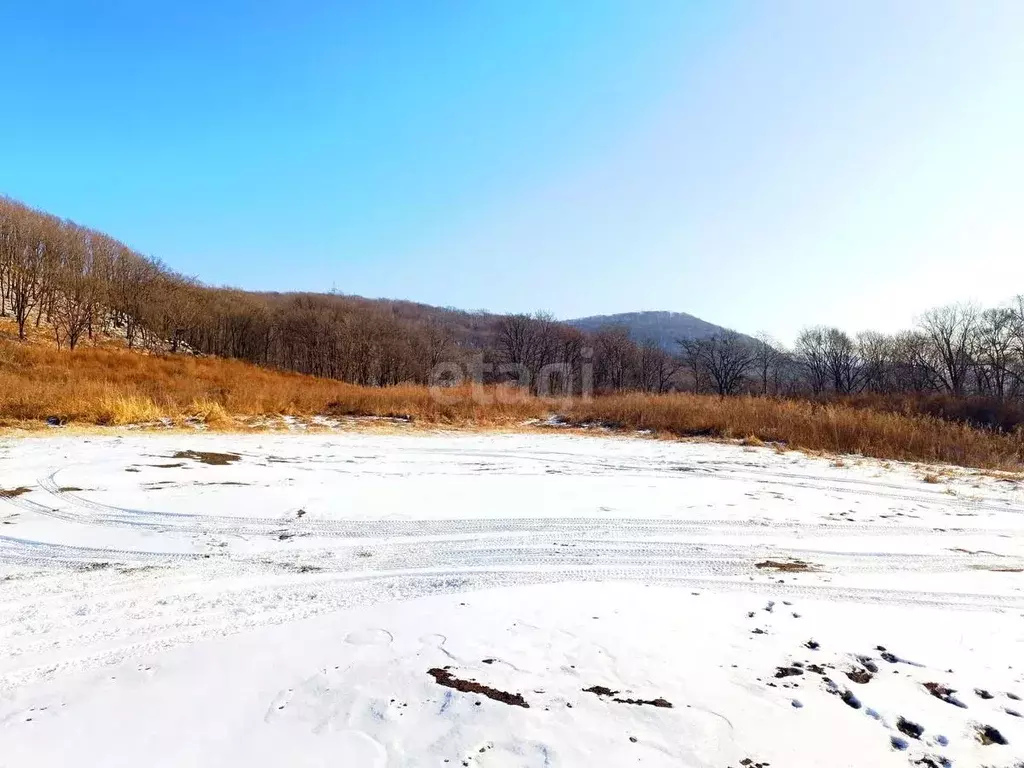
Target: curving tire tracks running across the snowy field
point(72, 607)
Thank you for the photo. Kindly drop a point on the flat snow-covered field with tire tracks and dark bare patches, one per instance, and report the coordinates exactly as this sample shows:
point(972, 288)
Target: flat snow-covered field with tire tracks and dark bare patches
point(502, 601)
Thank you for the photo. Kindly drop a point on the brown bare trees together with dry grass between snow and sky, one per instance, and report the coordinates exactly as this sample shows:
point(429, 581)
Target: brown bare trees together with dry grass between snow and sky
point(950, 392)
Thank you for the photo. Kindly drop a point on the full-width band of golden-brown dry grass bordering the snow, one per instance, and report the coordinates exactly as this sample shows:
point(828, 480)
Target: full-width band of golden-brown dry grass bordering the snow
point(115, 387)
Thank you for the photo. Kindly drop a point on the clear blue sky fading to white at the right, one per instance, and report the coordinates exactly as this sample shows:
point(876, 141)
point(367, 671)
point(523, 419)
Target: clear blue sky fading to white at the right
point(762, 165)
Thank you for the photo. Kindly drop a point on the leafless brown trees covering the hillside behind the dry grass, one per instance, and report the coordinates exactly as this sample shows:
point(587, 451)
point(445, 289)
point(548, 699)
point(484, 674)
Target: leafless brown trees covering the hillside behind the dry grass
point(78, 283)
